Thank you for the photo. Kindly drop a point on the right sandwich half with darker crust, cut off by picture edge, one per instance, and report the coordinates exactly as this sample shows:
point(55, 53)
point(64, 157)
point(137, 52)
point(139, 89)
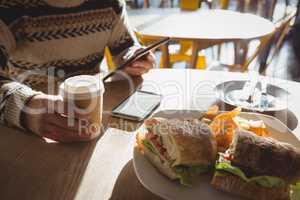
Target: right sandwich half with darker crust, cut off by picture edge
point(257, 168)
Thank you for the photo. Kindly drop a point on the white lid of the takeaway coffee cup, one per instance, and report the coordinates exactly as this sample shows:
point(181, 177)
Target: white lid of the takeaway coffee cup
point(81, 85)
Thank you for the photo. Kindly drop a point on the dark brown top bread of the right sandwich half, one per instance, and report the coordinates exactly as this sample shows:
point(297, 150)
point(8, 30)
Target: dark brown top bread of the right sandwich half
point(266, 156)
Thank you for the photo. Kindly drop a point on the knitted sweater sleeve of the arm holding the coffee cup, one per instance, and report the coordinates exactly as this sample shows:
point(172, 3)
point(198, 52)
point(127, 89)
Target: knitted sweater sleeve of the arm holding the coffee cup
point(13, 95)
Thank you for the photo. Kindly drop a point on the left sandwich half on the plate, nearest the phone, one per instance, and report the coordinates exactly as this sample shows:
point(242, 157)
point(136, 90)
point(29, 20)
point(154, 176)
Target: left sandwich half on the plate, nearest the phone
point(179, 149)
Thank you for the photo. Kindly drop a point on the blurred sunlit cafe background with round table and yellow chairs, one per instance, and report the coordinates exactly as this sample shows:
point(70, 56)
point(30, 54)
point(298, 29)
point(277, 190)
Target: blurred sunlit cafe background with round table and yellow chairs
point(218, 39)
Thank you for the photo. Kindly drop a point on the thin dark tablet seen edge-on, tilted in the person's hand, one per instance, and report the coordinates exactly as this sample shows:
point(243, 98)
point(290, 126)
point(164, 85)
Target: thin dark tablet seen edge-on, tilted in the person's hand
point(137, 56)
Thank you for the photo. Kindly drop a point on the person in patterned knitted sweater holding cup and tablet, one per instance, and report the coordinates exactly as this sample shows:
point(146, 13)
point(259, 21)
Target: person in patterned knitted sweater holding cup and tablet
point(43, 42)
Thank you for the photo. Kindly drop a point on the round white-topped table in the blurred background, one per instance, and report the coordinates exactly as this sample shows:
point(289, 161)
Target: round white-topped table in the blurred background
point(205, 28)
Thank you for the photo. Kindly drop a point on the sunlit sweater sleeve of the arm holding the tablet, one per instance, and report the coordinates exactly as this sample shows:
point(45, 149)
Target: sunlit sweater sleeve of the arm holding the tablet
point(122, 39)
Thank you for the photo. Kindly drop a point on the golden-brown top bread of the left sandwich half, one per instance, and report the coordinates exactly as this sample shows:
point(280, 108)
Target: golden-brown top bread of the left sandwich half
point(187, 142)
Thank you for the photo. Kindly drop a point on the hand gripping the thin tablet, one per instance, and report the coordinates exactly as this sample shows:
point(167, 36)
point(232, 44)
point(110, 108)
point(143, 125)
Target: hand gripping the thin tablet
point(141, 66)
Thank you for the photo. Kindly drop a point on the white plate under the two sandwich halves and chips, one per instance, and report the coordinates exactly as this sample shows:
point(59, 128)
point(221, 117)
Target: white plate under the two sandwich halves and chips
point(201, 189)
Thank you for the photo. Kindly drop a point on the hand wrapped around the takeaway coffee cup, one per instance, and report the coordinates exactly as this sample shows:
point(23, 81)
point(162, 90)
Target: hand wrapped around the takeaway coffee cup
point(43, 116)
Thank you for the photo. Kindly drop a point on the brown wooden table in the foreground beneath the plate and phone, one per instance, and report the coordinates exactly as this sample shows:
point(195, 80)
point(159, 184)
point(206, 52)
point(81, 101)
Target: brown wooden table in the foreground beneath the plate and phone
point(33, 169)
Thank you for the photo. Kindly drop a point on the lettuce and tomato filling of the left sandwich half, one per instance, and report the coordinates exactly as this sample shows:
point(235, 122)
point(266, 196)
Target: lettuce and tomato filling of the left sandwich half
point(154, 143)
